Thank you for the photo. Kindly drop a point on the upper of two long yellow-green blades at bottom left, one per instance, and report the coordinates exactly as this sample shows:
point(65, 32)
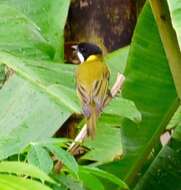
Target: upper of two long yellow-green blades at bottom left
point(22, 168)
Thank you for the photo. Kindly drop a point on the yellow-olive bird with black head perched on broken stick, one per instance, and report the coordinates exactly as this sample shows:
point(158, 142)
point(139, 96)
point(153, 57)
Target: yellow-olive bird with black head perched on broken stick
point(92, 81)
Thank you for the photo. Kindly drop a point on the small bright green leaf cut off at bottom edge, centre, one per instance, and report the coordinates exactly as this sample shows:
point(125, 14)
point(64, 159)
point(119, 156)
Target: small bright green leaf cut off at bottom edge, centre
point(91, 182)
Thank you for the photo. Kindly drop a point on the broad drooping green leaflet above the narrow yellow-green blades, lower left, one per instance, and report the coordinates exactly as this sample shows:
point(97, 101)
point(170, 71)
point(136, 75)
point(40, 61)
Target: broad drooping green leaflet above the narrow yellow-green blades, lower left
point(40, 157)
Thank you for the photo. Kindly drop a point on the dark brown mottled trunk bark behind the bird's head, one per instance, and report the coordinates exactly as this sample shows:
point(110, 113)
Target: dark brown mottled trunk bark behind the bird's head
point(108, 23)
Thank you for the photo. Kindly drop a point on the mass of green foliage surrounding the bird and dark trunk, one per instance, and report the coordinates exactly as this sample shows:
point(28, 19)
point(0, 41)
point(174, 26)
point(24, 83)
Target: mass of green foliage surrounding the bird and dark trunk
point(37, 96)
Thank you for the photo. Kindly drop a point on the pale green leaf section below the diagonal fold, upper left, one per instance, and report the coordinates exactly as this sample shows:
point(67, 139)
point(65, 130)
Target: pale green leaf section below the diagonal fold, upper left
point(26, 41)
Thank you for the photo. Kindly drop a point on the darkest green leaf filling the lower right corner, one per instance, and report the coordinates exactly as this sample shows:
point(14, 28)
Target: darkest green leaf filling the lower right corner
point(164, 172)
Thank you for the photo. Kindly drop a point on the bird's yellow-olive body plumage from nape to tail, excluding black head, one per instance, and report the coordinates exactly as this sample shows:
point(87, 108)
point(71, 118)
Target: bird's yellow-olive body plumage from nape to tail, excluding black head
point(92, 78)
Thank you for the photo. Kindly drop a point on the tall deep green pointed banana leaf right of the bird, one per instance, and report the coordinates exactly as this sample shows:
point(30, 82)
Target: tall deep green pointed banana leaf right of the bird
point(149, 83)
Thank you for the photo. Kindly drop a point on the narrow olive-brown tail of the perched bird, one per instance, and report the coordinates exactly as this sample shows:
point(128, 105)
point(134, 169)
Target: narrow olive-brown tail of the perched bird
point(91, 125)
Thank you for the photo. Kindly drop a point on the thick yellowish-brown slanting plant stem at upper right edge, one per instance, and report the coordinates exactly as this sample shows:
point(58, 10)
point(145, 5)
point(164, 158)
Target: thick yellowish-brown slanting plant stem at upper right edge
point(169, 40)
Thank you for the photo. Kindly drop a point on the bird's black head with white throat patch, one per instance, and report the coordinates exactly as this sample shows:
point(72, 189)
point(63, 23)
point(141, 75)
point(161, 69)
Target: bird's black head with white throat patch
point(84, 50)
